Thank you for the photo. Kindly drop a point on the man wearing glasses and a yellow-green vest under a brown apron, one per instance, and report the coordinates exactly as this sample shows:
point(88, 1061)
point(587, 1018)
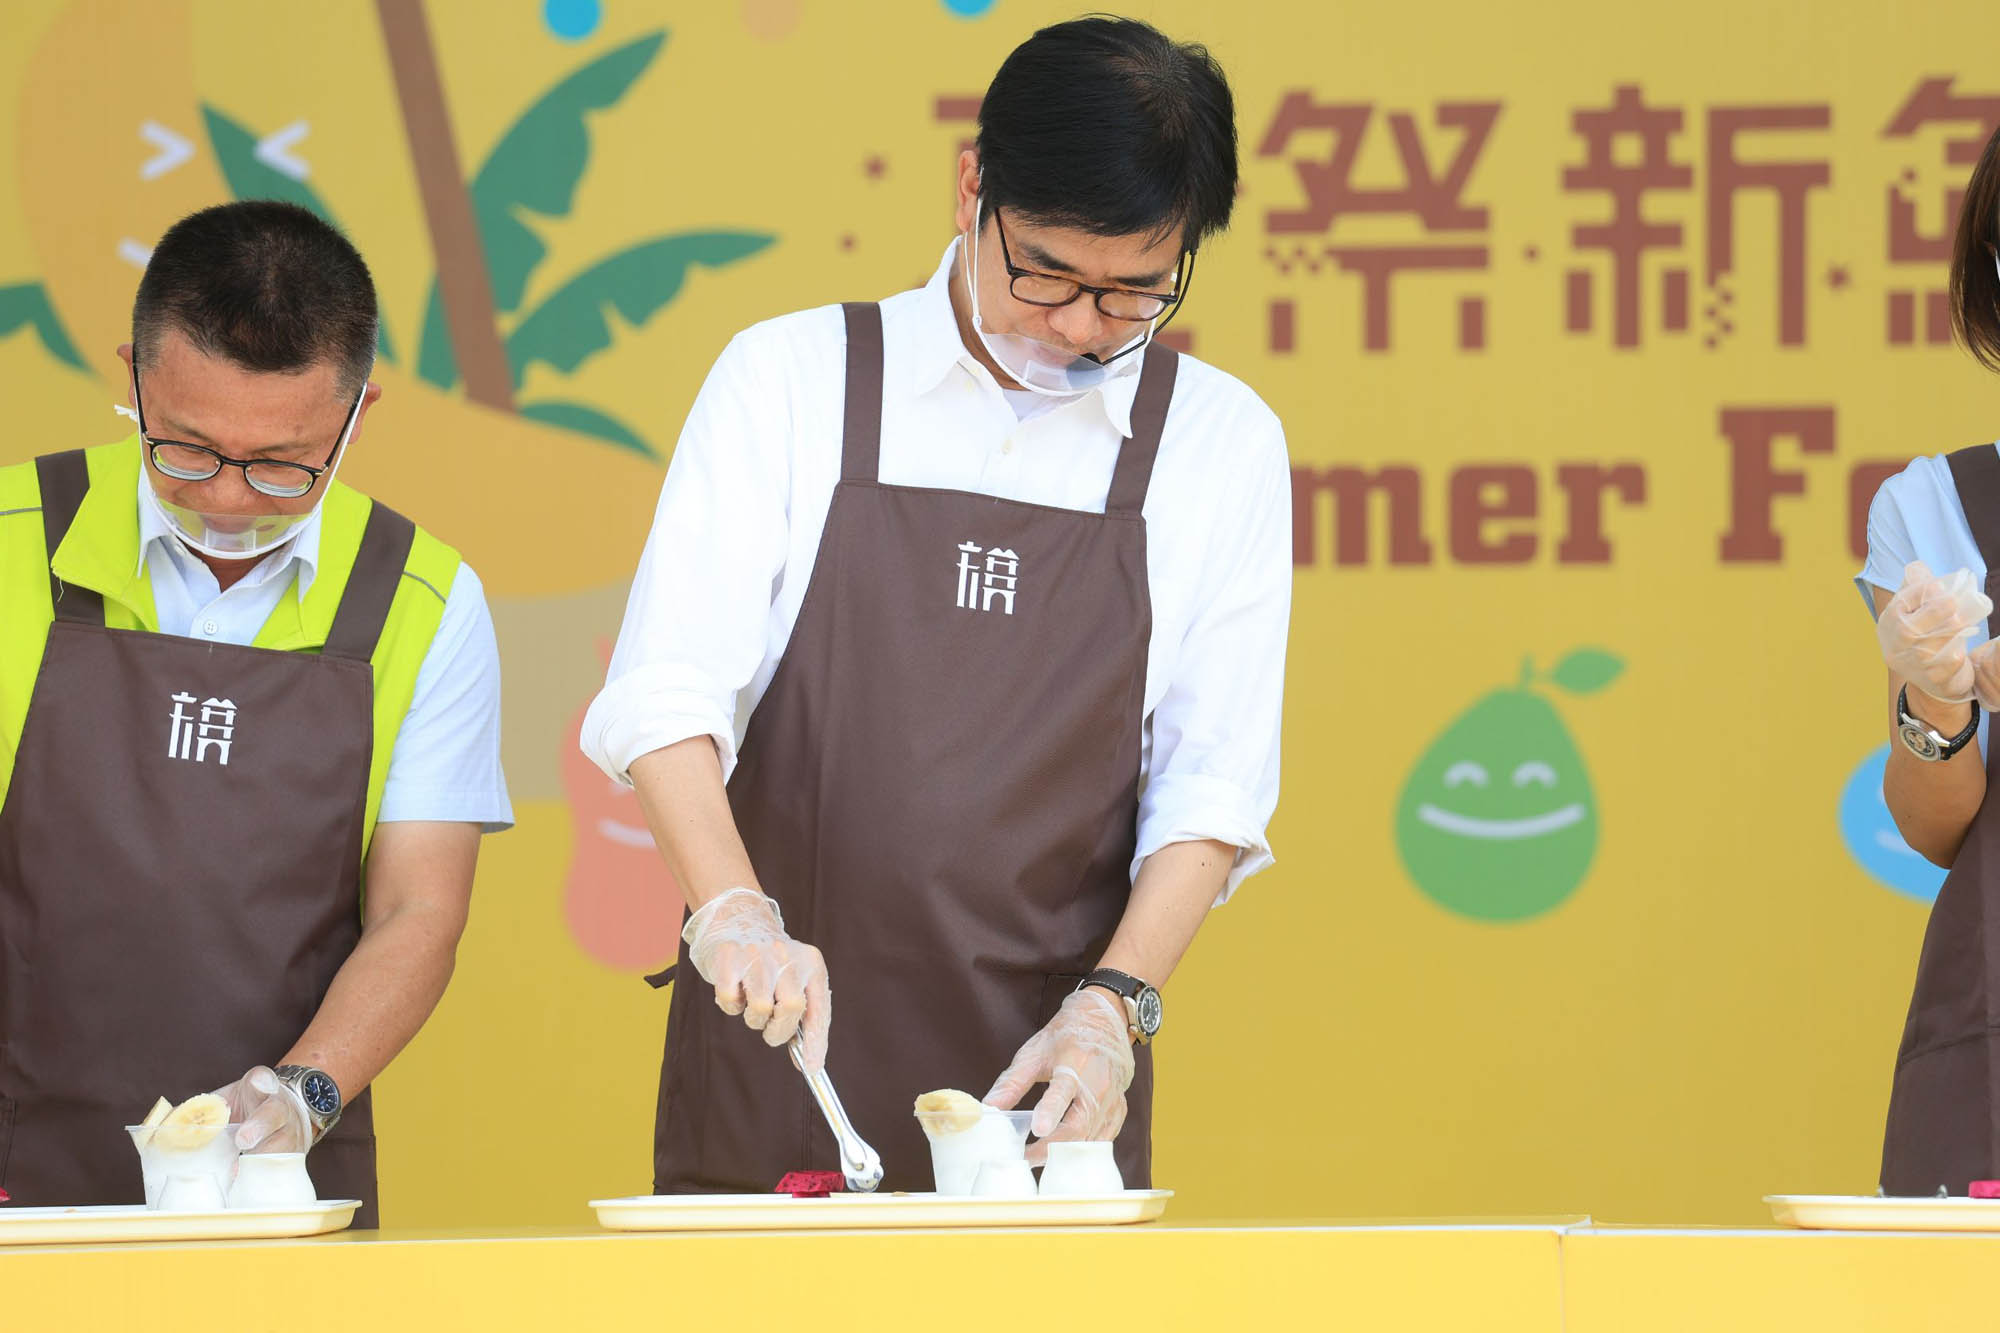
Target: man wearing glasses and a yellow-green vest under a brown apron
point(249, 736)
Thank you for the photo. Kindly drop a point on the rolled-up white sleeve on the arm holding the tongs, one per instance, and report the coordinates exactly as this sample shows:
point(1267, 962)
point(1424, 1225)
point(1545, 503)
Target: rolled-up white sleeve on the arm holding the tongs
point(699, 611)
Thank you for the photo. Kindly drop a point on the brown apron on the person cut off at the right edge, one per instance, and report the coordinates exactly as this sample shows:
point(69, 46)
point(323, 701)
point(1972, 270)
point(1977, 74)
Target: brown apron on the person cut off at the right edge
point(1945, 1104)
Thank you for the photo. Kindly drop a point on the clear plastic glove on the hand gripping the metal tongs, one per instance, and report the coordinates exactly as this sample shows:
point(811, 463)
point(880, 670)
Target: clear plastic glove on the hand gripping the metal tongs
point(779, 986)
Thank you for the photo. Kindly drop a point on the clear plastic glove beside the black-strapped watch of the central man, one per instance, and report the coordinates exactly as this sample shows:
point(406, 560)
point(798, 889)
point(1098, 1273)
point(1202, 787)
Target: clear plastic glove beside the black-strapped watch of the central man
point(1085, 1056)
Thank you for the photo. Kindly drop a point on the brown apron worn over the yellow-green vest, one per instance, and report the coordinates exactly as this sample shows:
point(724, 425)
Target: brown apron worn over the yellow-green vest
point(181, 858)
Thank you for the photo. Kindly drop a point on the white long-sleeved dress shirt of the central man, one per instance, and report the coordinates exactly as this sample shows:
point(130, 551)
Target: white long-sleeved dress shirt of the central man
point(745, 501)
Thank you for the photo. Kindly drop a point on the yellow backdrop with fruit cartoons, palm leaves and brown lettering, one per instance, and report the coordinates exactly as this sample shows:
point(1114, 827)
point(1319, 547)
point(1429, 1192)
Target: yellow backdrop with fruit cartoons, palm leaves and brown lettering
point(1589, 329)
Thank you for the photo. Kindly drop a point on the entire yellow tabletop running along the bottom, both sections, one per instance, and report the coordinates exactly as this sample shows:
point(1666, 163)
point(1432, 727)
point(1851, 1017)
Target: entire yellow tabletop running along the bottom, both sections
point(1559, 1276)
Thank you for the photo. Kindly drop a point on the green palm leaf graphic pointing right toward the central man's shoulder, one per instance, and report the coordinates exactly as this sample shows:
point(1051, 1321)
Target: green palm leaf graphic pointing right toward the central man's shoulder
point(569, 329)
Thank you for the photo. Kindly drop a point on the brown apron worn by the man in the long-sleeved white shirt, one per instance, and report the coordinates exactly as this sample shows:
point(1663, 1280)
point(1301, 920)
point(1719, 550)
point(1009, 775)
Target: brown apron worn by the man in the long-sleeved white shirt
point(941, 790)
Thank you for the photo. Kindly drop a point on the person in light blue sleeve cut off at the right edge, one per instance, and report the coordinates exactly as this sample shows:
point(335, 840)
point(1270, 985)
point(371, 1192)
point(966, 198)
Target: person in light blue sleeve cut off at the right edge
point(1931, 577)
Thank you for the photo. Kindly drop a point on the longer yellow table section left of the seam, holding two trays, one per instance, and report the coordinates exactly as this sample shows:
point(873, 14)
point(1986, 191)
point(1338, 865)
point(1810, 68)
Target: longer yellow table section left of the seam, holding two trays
point(1113, 1278)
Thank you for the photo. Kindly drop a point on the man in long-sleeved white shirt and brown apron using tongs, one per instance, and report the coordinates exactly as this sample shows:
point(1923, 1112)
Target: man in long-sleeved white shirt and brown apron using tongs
point(1001, 587)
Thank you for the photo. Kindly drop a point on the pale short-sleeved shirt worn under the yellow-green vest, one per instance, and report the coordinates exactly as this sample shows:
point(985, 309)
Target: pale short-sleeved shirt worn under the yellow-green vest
point(447, 758)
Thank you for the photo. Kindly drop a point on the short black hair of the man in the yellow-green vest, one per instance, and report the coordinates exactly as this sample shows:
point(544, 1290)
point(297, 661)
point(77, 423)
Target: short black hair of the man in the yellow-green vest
point(265, 285)
